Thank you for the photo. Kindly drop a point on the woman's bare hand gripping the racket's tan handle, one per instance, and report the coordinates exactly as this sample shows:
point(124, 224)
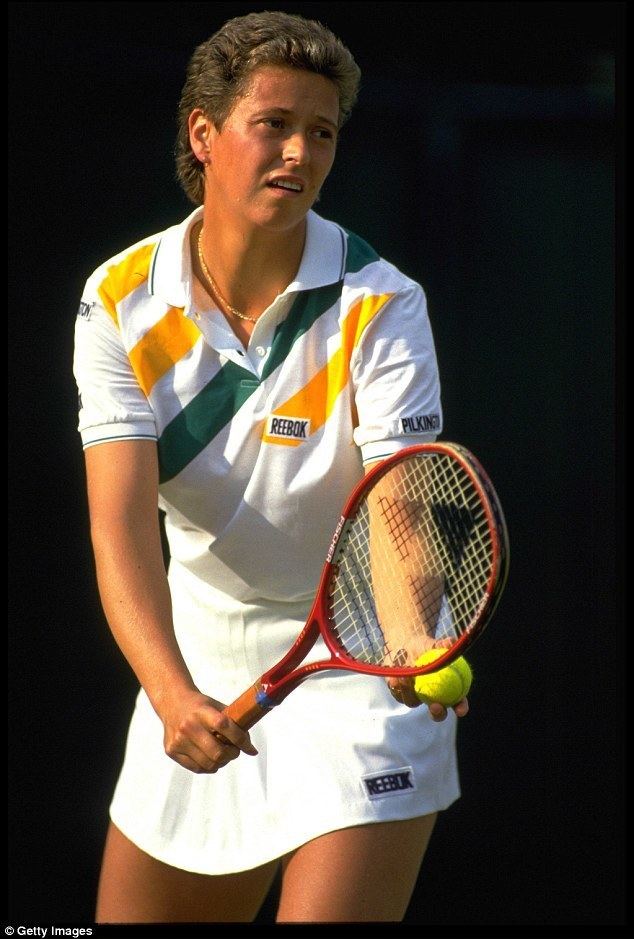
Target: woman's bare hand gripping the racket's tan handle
point(199, 736)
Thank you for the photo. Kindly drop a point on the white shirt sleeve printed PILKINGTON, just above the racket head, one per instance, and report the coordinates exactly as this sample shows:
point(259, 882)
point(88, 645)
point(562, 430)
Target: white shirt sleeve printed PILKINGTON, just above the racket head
point(395, 378)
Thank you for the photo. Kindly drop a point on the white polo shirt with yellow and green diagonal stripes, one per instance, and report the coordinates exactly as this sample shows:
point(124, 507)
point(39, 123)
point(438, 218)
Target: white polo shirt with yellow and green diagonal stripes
point(258, 447)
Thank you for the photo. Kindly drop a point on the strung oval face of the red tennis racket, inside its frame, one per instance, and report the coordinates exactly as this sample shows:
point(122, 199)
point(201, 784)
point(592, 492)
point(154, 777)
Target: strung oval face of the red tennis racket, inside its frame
point(413, 564)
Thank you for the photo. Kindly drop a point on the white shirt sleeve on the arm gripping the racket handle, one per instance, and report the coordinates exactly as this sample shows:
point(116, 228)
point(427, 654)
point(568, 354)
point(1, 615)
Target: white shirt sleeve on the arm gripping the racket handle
point(112, 405)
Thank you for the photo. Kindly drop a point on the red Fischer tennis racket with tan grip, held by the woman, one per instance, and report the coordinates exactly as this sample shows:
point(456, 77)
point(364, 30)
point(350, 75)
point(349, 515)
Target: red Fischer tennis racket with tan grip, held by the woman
point(418, 560)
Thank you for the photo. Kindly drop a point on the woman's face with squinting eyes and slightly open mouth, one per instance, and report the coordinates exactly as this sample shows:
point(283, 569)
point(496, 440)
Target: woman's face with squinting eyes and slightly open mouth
point(268, 162)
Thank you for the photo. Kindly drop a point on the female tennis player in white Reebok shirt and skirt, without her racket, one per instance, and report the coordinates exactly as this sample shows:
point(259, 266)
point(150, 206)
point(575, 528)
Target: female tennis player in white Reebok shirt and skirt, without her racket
point(239, 371)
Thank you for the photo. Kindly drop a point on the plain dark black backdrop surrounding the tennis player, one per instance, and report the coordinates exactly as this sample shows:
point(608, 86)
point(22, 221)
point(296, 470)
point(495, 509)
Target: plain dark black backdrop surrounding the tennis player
point(481, 160)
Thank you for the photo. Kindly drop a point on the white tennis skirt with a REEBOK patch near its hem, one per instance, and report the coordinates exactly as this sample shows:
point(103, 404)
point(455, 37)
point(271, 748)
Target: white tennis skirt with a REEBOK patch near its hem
point(338, 751)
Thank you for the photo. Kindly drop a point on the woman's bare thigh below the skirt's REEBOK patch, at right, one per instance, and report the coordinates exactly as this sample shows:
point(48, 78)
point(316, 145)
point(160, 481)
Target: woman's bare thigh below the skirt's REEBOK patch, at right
point(361, 874)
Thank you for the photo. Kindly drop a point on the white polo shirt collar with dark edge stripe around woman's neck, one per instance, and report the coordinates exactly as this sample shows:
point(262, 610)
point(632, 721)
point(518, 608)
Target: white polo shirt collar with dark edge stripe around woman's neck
point(170, 276)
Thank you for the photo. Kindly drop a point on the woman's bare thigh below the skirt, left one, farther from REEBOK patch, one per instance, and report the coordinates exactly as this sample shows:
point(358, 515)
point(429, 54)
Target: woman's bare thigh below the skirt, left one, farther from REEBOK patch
point(136, 888)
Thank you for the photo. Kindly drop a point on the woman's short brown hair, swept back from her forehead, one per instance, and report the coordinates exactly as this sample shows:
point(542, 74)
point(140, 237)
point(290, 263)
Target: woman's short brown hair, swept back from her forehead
point(221, 67)
